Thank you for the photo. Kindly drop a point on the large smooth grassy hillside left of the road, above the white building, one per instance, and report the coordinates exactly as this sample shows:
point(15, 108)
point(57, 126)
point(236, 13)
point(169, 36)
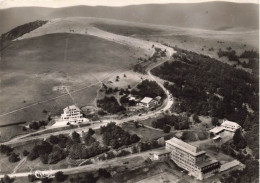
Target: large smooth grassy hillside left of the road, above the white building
point(73, 60)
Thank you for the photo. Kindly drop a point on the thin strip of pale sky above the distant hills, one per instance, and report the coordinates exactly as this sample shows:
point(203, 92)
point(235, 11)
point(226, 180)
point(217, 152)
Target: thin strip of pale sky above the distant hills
point(64, 3)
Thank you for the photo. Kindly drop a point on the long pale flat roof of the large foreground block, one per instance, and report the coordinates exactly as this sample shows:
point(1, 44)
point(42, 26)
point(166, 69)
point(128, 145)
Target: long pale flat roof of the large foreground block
point(195, 151)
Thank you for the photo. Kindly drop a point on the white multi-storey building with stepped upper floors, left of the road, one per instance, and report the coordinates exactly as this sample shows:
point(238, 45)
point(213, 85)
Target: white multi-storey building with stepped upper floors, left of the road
point(71, 115)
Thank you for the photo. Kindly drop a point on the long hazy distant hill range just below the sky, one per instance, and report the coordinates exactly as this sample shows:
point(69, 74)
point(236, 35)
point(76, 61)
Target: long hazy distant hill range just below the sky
point(208, 15)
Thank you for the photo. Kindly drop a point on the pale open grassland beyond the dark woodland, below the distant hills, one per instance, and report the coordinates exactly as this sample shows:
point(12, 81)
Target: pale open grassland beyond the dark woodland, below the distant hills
point(201, 41)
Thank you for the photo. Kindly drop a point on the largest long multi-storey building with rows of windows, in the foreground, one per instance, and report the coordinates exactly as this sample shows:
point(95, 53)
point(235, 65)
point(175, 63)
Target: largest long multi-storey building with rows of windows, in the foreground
point(192, 159)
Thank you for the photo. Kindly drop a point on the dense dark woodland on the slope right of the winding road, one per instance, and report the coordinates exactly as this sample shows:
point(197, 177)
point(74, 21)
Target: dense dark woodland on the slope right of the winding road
point(205, 86)
